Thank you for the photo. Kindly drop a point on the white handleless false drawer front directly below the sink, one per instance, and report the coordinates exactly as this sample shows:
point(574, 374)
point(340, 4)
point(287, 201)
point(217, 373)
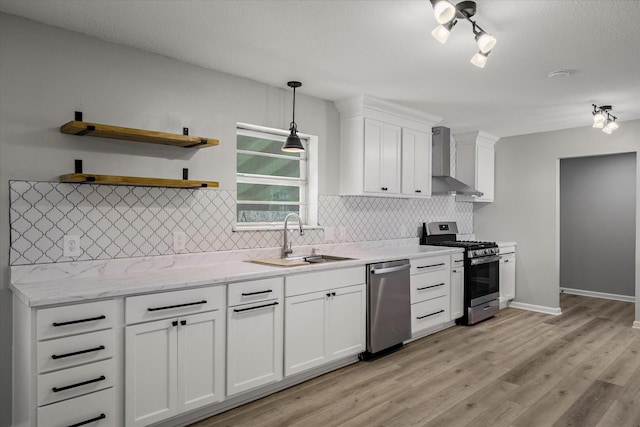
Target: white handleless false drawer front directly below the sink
point(319, 281)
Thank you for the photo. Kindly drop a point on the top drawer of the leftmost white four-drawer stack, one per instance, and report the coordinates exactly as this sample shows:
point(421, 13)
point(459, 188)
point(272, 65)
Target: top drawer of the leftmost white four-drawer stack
point(74, 319)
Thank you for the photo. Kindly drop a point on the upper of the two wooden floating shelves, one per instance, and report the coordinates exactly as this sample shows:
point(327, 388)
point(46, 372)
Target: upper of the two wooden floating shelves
point(128, 134)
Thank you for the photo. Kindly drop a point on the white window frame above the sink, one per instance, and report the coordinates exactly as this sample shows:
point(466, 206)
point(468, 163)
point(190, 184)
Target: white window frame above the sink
point(308, 192)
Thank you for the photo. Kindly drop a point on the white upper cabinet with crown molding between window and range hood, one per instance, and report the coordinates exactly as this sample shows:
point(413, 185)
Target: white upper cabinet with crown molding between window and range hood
point(385, 149)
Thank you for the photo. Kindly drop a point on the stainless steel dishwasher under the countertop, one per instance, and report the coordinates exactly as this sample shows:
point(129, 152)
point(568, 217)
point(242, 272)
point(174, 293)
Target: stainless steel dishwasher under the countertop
point(388, 305)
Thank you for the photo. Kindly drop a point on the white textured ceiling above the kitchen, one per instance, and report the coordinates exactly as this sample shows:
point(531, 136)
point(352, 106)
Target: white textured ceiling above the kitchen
point(385, 49)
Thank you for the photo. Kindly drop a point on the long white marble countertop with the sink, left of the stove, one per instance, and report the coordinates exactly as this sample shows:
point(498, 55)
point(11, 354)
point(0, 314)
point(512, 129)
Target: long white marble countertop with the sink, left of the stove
point(47, 284)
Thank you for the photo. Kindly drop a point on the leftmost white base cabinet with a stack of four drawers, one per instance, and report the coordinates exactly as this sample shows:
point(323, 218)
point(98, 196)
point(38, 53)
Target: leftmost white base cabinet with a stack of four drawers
point(66, 357)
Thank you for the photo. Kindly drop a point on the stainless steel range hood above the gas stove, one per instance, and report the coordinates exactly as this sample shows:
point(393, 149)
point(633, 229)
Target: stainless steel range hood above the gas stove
point(443, 182)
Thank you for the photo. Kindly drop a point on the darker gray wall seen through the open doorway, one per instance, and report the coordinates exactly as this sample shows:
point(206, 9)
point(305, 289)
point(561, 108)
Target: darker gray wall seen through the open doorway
point(597, 223)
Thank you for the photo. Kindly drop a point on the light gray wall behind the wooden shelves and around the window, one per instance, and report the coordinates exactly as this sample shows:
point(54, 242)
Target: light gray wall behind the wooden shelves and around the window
point(46, 74)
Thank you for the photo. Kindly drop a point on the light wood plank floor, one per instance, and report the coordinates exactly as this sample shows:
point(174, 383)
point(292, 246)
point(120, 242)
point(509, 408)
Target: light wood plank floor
point(518, 369)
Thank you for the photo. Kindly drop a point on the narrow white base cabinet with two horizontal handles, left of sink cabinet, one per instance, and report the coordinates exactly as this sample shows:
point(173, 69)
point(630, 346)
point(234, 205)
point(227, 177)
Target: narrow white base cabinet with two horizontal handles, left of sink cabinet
point(254, 334)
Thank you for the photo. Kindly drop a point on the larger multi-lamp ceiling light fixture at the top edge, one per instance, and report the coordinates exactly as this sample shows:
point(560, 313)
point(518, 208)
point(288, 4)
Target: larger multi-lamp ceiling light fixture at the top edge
point(447, 16)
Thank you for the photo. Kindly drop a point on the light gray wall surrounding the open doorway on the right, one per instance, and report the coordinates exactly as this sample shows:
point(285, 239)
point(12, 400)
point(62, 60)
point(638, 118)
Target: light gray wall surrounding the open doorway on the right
point(526, 202)
